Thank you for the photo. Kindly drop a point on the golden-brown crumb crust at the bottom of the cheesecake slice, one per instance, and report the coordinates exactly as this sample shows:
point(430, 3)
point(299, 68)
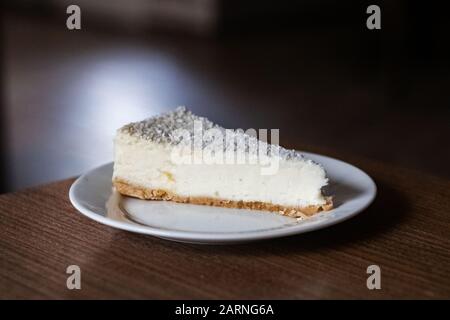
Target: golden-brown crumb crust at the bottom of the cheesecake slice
point(131, 190)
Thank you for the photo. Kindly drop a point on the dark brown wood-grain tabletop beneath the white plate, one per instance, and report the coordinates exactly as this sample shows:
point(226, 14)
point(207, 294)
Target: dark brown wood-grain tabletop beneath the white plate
point(405, 232)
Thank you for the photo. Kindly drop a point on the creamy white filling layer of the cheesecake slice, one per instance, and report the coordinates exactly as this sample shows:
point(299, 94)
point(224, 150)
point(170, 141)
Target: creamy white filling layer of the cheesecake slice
point(297, 182)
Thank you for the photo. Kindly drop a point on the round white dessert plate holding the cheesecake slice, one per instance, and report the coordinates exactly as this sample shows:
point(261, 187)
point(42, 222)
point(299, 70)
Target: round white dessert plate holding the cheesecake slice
point(92, 194)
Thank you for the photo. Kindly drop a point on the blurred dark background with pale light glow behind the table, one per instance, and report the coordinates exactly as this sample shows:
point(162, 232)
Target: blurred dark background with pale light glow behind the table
point(310, 68)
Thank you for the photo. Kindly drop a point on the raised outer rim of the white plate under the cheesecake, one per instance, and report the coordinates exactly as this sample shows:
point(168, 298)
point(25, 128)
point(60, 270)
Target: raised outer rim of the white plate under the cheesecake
point(218, 238)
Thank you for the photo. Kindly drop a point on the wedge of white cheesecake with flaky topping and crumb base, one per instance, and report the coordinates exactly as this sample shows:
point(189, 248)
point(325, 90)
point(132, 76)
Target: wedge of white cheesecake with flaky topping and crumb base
point(182, 157)
